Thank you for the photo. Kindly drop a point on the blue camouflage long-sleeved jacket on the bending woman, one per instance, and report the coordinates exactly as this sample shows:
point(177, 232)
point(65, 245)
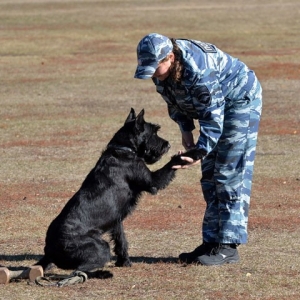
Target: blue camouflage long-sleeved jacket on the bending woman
point(210, 78)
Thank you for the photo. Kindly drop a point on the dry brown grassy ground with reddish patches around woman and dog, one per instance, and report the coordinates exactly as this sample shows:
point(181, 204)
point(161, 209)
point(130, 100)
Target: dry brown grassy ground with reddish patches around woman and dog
point(67, 85)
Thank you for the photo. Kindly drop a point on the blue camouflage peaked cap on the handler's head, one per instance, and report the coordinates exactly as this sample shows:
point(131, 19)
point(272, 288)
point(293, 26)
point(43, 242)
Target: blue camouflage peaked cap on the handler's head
point(150, 51)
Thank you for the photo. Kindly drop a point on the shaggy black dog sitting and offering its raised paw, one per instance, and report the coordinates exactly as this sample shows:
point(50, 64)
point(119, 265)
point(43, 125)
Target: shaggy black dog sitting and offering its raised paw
point(108, 194)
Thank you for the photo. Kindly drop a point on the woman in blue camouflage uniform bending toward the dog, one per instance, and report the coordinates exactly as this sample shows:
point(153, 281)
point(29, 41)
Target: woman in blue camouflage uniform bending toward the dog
point(200, 82)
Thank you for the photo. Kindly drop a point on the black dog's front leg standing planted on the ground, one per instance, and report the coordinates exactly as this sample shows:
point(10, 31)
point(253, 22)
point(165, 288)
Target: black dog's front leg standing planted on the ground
point(121, 246)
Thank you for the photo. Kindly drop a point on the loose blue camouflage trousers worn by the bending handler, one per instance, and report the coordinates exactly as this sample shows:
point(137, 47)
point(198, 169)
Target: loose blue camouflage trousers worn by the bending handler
point(227, 170)
